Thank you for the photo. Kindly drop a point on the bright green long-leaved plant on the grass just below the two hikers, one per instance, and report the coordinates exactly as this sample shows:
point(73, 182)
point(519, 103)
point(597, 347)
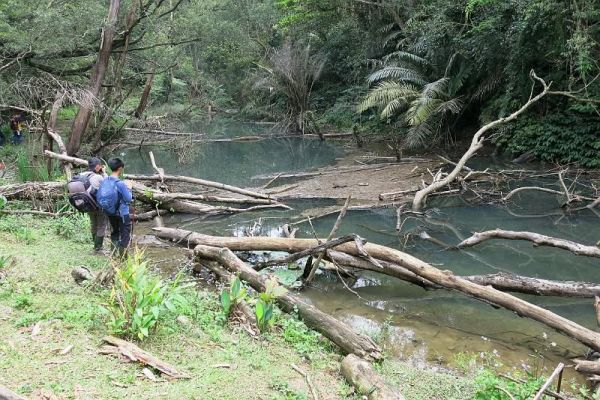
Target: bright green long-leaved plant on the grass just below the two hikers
point(139, 301)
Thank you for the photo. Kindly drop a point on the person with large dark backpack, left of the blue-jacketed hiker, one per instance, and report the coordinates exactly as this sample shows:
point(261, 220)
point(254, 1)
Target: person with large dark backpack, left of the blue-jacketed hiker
point(82, 195)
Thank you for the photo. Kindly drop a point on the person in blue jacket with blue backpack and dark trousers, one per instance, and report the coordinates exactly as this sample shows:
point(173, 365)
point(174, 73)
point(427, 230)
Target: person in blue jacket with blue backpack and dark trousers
point(114, 197)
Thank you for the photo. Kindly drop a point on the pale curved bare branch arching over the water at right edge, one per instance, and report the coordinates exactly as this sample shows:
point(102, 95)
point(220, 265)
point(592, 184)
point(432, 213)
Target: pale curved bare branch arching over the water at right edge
point(536, 238)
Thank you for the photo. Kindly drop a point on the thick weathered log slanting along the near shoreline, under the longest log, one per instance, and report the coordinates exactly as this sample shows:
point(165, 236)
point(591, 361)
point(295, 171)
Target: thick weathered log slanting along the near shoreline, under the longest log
point(336, 331)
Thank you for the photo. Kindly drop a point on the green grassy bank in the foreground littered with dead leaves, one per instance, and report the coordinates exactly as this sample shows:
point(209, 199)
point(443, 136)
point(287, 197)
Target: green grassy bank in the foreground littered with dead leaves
point(42, 312)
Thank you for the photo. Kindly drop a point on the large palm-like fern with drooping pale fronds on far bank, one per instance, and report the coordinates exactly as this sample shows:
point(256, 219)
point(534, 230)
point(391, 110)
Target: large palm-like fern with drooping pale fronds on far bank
point(403, 87)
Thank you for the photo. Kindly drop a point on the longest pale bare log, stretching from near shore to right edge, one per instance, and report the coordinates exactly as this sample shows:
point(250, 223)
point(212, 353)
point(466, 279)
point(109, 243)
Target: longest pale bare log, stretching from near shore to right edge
point(418, 267)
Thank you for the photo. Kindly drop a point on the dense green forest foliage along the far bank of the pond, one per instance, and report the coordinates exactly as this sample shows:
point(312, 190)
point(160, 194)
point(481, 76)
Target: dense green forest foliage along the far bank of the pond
point(435, 69)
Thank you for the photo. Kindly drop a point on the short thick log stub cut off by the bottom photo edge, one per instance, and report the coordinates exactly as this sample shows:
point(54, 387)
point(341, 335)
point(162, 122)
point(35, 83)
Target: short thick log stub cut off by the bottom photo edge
point(366, 380)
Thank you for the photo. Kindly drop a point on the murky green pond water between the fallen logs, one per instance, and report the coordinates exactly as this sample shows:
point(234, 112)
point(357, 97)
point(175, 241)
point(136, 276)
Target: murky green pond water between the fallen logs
point(419, 325)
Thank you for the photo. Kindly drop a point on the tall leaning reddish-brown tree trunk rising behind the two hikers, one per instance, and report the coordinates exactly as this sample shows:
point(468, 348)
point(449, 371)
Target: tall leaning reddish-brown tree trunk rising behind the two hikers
point(85, 110)
